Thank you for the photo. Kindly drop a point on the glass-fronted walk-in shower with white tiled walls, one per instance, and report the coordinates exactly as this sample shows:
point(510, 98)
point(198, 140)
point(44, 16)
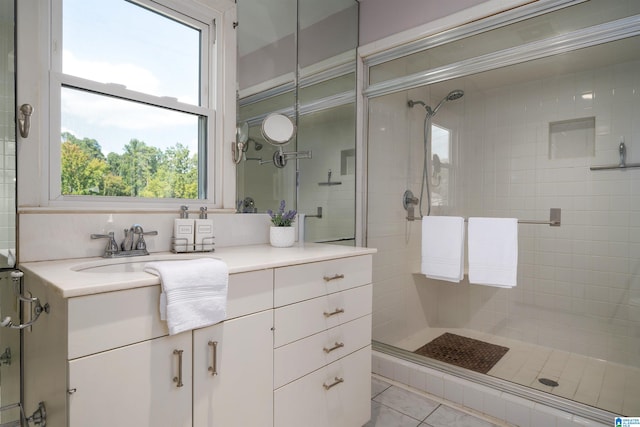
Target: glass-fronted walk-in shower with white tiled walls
point(548, 120)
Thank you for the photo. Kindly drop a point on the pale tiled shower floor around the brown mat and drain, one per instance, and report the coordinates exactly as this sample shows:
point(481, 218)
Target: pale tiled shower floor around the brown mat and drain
point(588, 380)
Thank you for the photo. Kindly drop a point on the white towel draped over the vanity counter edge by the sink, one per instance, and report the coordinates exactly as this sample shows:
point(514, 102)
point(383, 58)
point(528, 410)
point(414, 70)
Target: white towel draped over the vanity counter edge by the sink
point(194, 292)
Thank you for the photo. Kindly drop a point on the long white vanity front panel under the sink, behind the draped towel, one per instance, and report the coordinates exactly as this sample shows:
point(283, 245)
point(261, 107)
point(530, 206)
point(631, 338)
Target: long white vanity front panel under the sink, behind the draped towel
point(100, 322)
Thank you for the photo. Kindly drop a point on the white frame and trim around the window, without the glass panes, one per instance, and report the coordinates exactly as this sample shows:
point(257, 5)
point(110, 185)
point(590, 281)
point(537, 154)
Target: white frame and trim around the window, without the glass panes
point(40, 26)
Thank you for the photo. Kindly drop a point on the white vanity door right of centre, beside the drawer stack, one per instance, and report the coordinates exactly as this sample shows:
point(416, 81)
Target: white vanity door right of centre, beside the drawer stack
point(233, 379)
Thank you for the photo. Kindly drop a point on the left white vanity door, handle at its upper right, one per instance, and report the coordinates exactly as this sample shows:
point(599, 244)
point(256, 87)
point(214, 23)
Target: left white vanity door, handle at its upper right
point(134, 385)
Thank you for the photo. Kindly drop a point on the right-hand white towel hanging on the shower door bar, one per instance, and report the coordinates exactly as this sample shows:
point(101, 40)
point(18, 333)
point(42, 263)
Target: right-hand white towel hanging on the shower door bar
point(493, 251)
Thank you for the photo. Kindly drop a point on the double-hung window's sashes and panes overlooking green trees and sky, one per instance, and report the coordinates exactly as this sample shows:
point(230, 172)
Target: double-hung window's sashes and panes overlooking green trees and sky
point(134, 83)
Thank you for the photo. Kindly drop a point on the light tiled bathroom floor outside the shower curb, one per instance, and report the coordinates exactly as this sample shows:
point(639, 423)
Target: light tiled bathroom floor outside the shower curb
point(393, 406)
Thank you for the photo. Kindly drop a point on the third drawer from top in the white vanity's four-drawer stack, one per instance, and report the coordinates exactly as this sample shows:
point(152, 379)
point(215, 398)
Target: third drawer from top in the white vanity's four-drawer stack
point(297, 359)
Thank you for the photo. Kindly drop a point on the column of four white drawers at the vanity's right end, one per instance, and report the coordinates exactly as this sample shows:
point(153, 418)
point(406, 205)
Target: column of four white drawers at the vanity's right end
point(322, 343)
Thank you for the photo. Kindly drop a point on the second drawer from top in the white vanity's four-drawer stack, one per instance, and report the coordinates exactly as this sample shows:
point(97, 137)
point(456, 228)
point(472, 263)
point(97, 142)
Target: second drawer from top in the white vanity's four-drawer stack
point(296, 321)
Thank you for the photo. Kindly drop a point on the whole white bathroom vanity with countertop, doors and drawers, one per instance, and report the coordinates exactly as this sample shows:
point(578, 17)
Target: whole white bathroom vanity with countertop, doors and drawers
point(294, 350)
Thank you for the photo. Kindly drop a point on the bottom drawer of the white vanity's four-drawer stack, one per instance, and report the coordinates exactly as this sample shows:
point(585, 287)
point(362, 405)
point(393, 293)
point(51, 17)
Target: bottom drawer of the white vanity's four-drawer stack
point(320, 399)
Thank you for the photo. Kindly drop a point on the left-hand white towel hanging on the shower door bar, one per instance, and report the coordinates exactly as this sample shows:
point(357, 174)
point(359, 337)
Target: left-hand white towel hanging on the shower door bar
point(443, 247)
